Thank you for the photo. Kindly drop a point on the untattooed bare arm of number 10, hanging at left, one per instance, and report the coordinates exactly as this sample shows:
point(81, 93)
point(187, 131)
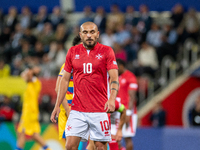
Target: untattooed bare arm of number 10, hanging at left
point(61, 94)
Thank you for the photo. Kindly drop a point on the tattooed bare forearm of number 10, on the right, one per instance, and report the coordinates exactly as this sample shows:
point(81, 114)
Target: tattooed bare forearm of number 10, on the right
point(110, 104)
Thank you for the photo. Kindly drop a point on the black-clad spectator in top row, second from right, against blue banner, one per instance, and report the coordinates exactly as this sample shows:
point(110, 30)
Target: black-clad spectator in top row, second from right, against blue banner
point(177, 15)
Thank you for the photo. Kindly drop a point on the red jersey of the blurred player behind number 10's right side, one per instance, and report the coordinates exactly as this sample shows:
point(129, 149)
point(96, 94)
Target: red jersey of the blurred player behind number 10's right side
point(127, 81)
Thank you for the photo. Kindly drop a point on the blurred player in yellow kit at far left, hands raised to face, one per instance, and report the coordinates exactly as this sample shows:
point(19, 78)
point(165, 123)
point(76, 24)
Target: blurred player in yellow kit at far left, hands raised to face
point(29, 122)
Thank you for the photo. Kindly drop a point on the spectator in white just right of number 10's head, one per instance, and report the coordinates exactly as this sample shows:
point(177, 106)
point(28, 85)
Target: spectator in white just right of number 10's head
point(108, 38)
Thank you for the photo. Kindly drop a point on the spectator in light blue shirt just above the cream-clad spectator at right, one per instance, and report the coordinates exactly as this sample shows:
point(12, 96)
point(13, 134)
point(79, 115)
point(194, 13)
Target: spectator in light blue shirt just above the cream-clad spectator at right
point(154, 36)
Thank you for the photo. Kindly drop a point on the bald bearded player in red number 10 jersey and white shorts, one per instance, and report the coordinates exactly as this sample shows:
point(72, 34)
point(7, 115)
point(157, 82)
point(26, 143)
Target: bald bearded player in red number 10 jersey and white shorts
point(93, 64)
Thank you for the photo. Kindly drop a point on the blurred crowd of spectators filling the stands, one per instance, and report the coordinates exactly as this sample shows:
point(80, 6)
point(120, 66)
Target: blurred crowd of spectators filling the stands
point(140, 38)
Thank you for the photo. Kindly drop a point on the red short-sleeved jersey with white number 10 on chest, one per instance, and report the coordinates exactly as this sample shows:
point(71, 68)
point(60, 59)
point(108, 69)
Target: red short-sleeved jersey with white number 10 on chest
point(90, 74)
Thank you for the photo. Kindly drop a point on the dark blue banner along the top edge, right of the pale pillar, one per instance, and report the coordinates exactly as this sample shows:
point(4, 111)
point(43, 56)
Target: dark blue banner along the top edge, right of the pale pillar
point(154, 5)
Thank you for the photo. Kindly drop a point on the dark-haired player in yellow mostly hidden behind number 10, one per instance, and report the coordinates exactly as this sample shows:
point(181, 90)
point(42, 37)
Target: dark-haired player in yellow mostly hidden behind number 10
point(65, 106)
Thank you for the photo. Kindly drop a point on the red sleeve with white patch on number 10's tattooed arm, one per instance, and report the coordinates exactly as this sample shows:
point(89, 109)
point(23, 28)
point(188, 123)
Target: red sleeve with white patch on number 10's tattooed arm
point(111, 60)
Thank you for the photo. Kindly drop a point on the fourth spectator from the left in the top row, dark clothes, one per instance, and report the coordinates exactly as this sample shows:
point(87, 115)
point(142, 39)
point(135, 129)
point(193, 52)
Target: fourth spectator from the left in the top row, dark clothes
point(56, 17)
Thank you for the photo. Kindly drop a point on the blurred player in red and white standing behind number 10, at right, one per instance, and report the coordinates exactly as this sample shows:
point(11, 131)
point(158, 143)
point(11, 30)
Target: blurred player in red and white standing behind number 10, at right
point(127, 92)
